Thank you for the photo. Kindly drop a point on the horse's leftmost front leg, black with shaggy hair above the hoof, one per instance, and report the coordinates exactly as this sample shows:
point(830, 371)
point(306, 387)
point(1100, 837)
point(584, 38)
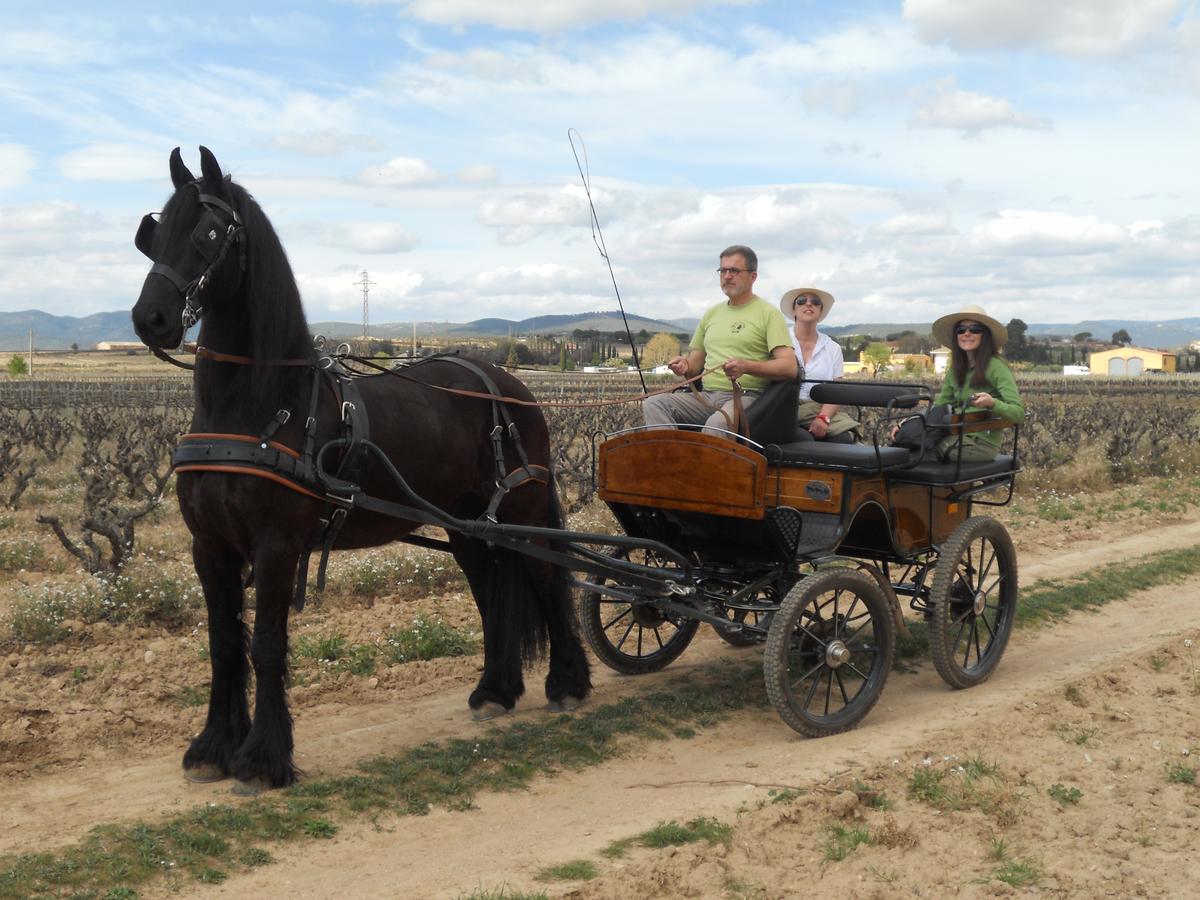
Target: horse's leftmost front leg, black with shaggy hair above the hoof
point(212, 752)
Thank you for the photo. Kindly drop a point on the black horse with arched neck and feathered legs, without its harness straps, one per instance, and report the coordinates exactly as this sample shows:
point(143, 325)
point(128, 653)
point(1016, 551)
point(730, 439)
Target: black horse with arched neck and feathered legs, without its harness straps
point(218, 260)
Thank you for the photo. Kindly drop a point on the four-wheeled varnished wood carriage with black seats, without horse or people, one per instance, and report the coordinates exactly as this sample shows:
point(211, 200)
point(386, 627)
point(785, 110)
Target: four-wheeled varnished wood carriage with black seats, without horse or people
point(807, 548)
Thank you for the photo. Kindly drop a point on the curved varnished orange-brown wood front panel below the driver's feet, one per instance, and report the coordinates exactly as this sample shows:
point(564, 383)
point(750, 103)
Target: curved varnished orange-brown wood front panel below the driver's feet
point(687, 471)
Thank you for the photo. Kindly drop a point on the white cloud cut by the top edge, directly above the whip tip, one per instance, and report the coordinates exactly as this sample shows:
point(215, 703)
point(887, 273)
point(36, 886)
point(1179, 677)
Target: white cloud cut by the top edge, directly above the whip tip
point(551, 15)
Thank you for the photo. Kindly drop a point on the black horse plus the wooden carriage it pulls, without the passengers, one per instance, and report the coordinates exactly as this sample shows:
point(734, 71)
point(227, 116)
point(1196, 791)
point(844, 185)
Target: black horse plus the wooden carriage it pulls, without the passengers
point(805, 547)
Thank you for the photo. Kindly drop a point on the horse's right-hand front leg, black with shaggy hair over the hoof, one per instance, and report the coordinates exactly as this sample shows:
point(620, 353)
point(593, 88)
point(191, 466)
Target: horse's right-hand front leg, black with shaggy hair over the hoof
point(265, 759)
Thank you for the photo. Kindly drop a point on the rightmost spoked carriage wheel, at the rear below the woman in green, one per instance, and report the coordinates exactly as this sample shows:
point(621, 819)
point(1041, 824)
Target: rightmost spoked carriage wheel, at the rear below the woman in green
point(974, 602)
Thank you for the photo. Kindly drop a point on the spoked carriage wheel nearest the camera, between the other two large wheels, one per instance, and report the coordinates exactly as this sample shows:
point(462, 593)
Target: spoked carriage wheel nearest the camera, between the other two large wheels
point(829, 652)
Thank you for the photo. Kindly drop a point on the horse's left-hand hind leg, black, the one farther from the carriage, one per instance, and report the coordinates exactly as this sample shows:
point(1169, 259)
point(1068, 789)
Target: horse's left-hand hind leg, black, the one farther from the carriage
point(488, 572)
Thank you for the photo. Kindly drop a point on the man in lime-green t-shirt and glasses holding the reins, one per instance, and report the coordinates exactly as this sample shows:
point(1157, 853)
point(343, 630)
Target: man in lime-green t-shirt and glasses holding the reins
point(743, 340)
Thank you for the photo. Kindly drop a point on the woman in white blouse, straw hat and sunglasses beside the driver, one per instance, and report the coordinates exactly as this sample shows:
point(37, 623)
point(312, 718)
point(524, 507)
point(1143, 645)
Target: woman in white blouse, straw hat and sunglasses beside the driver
point(820, 357)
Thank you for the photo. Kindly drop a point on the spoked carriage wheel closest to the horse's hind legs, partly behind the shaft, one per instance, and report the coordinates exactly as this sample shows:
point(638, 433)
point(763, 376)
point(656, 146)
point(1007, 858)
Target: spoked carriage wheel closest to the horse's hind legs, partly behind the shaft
point(634, 639)
